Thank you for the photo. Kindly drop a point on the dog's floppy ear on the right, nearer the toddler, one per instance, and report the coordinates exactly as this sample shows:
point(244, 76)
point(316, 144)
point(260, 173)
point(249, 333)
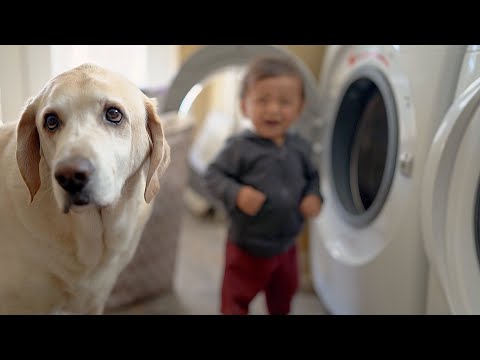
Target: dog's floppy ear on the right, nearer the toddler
point(160, 151)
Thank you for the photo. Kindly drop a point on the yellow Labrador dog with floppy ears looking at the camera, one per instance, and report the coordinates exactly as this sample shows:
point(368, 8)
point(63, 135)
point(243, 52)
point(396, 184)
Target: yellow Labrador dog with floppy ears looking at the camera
point(78, 175)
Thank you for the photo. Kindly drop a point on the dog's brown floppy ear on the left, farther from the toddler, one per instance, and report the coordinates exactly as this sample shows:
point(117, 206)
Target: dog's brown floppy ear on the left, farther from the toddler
point(28, 148)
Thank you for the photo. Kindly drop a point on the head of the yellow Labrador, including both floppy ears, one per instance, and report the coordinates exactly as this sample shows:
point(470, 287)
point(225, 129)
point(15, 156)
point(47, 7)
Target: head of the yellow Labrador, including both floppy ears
point(94, 129)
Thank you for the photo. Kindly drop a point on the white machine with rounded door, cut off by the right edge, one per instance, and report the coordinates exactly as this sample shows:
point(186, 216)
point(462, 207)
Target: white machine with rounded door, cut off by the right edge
point(451, 200)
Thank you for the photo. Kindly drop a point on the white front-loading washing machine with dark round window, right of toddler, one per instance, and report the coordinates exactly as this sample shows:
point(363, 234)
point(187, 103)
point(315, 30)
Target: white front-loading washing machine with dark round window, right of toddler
point(382, 106)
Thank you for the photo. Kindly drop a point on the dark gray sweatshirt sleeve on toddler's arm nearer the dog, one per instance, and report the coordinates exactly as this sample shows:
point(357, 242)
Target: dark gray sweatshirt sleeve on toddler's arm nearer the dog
point(222, 172)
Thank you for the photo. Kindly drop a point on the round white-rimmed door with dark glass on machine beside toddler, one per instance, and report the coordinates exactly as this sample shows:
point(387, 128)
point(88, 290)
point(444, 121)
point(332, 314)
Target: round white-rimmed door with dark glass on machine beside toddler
point(363, 147)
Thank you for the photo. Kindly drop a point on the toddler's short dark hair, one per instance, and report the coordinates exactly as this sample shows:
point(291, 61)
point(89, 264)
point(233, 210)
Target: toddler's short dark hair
point(266, 67)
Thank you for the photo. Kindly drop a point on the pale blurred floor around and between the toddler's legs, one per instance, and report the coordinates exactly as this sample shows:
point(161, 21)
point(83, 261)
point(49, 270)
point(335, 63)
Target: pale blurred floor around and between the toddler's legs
point(198, 277)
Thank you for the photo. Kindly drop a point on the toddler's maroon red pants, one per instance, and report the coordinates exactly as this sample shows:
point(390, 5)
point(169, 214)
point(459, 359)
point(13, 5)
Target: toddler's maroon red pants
point(246, 275)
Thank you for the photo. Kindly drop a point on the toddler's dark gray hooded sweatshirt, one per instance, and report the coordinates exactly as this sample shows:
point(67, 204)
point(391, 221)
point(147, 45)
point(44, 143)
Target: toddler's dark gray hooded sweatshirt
point(285, 174)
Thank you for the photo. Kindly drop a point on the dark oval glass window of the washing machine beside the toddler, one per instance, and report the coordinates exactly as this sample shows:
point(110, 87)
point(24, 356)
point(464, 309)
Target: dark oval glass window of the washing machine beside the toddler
point(364, 148)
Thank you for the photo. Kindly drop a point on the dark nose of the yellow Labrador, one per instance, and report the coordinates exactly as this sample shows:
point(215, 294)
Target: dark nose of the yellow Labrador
point(73, 174)
